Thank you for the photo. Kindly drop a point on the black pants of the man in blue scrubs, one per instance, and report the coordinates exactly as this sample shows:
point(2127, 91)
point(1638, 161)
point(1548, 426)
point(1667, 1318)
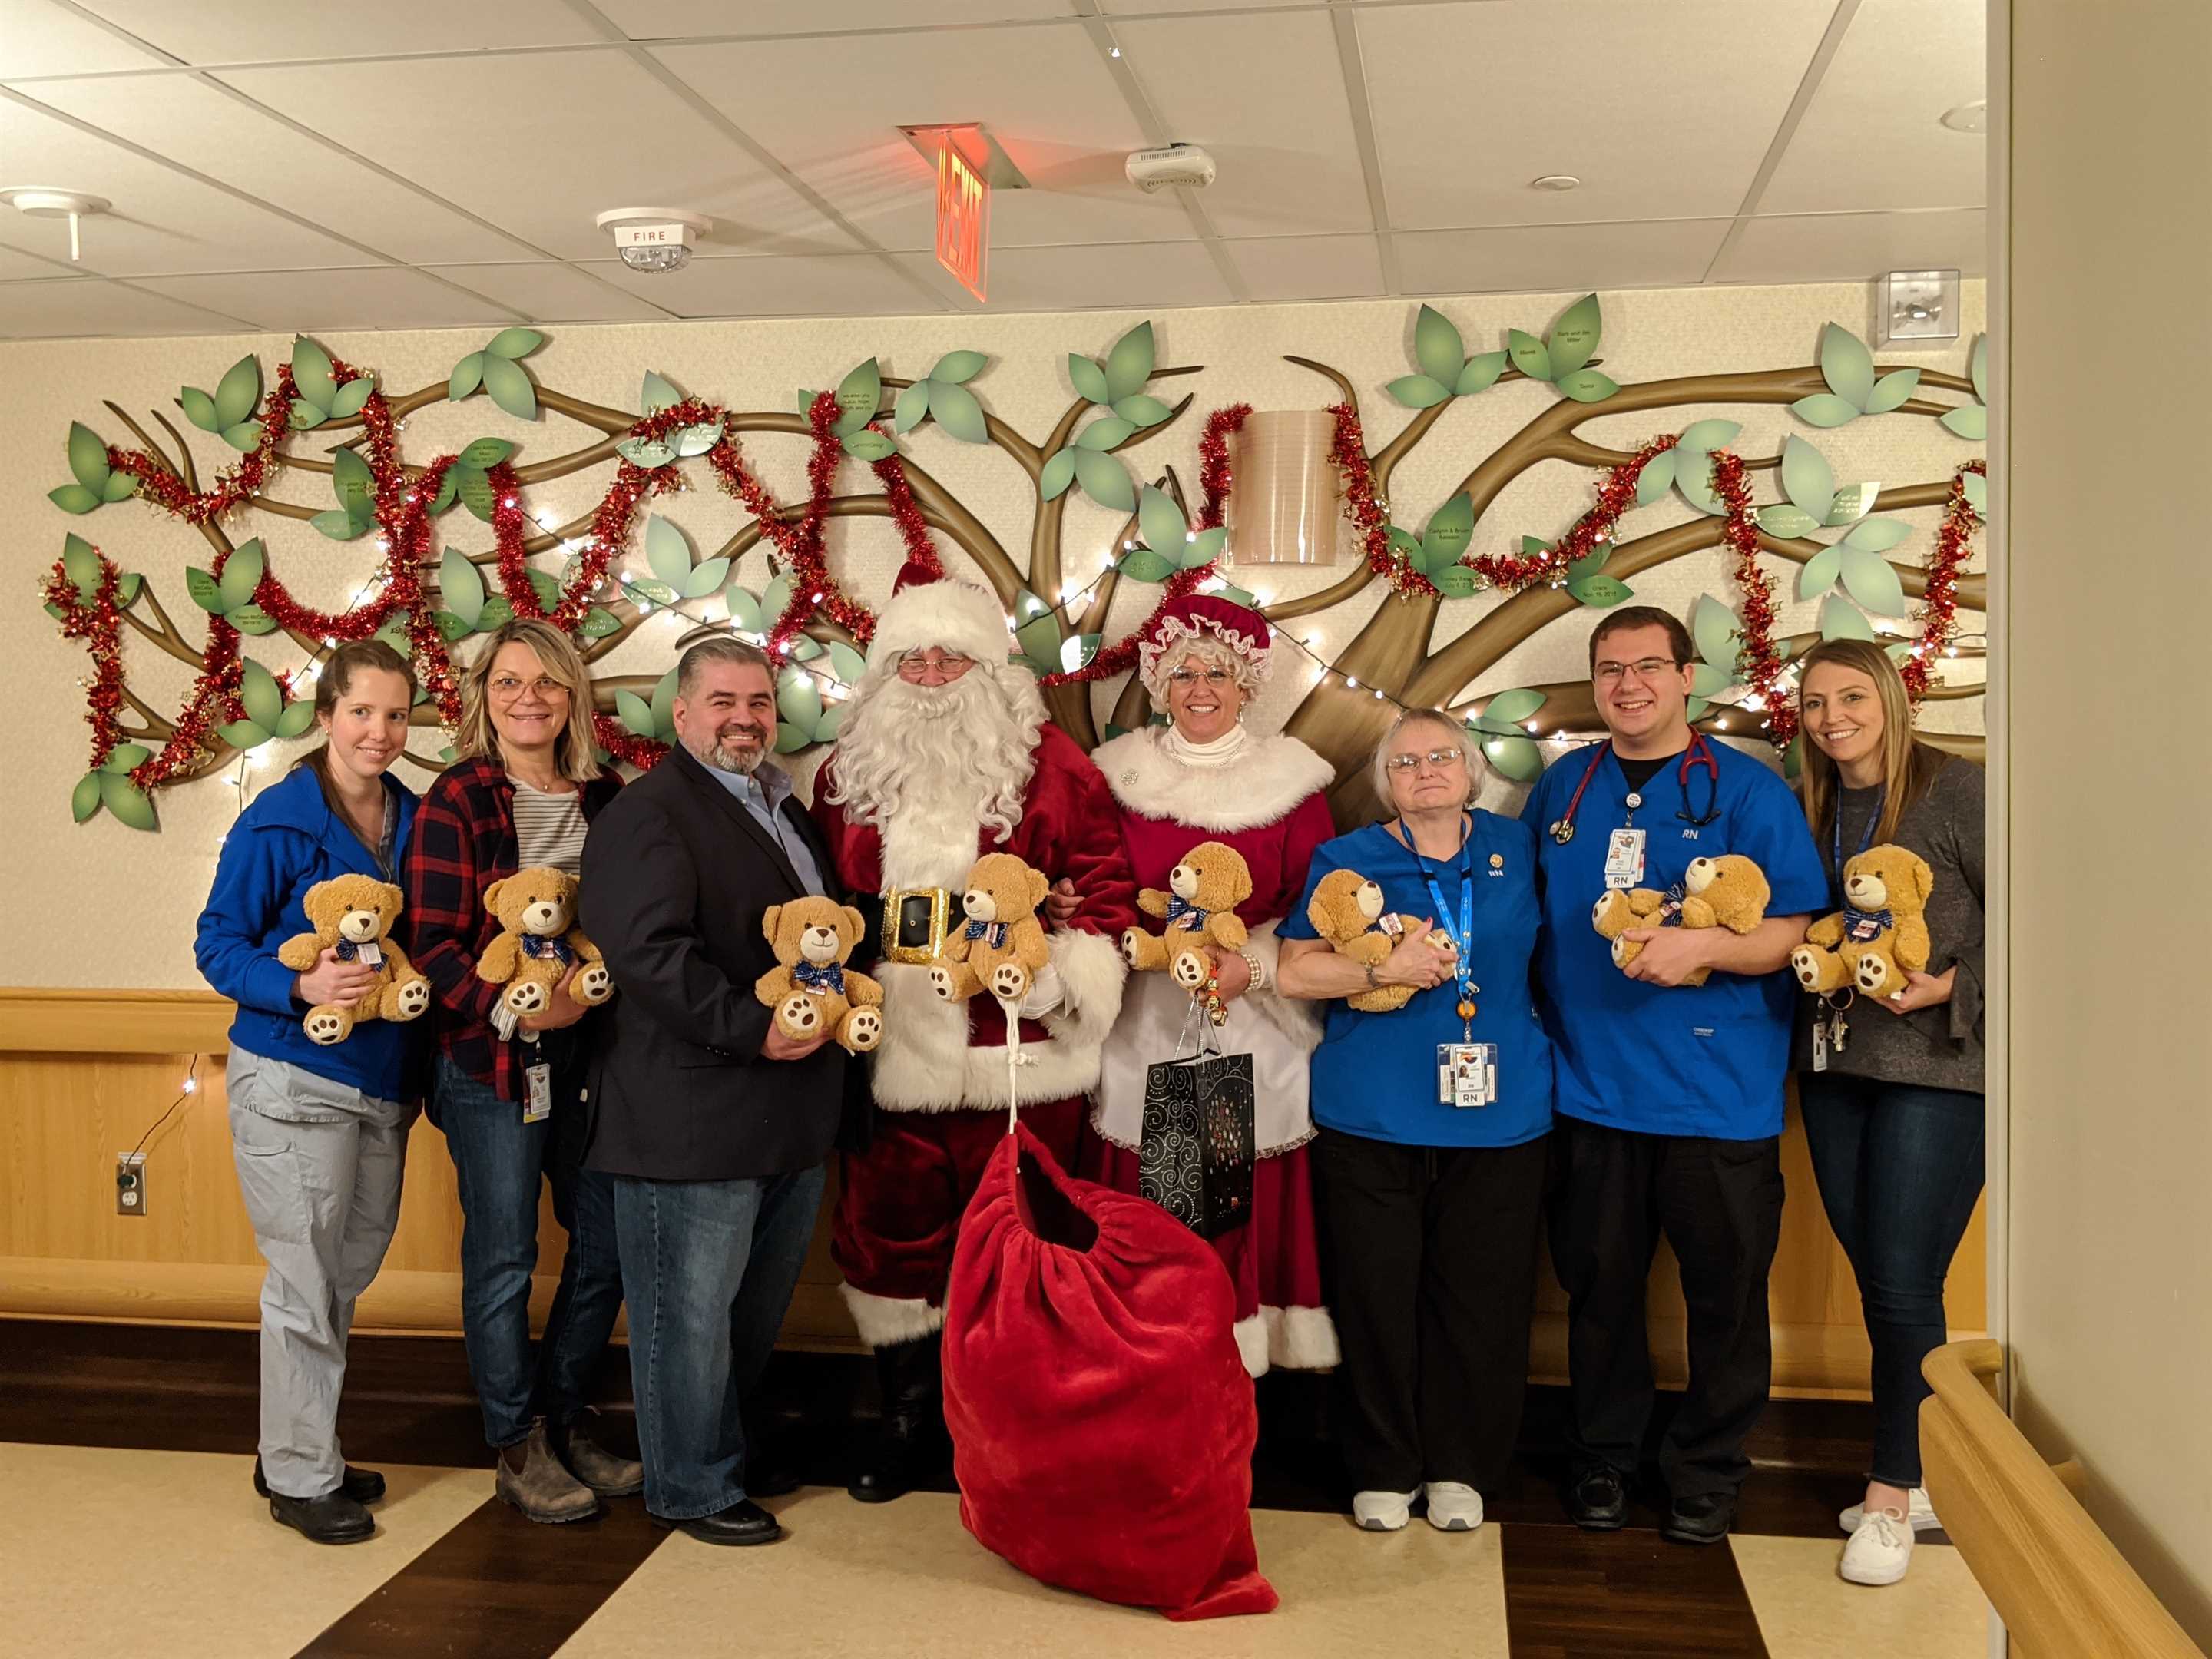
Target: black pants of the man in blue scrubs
point(1720, 1207)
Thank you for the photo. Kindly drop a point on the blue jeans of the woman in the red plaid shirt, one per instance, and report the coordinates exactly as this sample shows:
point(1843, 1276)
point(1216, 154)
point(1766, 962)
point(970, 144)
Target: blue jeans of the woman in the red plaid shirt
point(501, 1165)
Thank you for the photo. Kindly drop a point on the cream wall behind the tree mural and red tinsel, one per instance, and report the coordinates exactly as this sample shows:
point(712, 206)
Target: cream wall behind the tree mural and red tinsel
point(114, 908)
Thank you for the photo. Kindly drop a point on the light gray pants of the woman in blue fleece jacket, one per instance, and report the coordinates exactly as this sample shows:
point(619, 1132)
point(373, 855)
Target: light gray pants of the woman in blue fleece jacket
point(320, 1167)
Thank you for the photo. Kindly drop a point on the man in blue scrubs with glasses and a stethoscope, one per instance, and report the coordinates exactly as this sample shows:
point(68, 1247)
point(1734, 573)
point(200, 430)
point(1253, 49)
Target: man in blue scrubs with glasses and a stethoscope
point(1669, 1096)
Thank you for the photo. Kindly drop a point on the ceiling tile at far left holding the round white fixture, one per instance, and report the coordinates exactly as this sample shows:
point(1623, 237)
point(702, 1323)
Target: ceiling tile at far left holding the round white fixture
point(163, 222)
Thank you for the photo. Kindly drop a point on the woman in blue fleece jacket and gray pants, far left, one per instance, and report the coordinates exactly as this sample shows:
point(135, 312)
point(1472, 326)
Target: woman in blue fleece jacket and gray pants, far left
point(320, 1134)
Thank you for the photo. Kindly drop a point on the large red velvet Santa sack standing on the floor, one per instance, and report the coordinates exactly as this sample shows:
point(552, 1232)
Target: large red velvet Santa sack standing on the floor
point(1103, 1421)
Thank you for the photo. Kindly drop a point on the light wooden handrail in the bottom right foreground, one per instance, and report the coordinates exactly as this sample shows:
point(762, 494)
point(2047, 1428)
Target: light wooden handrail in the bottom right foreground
point(2043, 1563)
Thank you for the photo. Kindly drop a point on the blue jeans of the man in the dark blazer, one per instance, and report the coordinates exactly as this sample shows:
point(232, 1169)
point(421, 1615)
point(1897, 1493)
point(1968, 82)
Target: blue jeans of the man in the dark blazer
point(709, 1269)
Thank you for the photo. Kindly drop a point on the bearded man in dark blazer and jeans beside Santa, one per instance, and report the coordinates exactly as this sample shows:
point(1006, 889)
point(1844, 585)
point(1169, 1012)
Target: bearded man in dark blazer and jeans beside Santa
point(713, 1123)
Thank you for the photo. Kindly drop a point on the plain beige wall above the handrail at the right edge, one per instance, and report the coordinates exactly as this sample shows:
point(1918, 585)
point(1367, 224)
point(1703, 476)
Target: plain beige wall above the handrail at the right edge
point(2111, 778)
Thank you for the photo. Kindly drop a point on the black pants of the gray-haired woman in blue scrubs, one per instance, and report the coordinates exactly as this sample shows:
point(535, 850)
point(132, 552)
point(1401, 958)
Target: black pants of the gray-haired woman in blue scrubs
point(1430, 1262)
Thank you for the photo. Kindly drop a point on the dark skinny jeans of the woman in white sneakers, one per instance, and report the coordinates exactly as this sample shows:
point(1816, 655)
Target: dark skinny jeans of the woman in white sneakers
point(1899, 1173)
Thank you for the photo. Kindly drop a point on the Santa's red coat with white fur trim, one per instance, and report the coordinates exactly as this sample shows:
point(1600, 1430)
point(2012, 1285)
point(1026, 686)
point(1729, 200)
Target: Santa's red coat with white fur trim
point(943, 1056)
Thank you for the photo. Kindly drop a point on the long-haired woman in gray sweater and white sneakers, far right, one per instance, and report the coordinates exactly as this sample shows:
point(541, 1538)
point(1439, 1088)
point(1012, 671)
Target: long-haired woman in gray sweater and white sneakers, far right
point(1892, 1087)
